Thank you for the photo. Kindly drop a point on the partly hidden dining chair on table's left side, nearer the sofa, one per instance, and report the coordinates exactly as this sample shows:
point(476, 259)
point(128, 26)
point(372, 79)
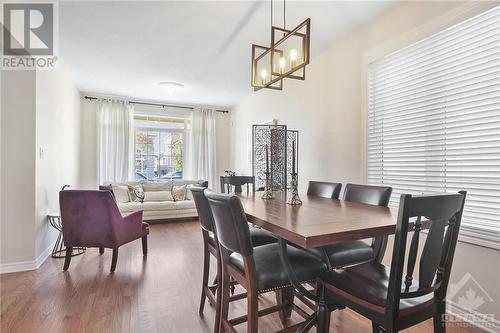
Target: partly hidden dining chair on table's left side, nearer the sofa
point(210, 247)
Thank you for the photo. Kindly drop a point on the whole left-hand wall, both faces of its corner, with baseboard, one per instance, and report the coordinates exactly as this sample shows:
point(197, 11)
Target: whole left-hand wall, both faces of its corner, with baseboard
point(40, 111)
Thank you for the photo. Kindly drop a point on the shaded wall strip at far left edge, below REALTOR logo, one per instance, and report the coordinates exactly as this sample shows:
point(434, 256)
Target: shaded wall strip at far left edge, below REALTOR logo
point(18, 169)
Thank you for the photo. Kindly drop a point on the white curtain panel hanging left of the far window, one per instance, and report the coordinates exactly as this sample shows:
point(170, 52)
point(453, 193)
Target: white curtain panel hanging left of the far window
point(114, 141)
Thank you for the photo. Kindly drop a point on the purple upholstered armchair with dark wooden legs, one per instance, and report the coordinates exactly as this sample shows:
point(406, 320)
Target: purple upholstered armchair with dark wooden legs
point(92, 219)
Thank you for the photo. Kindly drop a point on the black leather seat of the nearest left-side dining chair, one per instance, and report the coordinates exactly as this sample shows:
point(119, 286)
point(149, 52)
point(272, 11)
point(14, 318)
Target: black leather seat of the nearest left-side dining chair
point(271, 274)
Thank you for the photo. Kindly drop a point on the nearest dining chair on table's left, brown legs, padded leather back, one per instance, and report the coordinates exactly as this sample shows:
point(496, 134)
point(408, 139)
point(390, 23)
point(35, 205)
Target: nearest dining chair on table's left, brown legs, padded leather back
point(257, 269)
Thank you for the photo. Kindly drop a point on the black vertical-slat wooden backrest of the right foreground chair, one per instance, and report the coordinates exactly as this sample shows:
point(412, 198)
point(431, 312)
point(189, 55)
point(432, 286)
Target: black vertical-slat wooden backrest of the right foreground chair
point(444, 213)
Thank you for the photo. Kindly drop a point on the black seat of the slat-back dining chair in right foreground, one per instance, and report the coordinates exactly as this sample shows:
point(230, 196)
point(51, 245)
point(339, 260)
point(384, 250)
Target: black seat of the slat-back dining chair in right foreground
point(369, 282)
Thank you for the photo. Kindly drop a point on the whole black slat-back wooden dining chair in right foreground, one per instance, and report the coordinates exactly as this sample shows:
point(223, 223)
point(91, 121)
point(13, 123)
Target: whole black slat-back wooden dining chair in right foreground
point(380, 293)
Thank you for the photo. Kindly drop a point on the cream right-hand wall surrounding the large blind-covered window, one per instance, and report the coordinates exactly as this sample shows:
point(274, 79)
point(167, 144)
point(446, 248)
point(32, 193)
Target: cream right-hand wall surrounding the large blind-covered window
point(329, 112)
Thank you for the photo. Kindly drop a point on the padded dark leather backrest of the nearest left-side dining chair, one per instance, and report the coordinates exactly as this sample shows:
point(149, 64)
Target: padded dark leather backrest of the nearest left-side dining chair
point(230, 222)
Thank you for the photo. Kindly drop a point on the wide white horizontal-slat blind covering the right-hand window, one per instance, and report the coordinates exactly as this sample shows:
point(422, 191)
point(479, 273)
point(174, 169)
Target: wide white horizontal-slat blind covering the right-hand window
point(434, 119)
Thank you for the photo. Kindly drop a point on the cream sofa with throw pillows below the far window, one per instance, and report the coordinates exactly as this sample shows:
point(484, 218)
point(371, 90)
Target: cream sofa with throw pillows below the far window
point(160, 200)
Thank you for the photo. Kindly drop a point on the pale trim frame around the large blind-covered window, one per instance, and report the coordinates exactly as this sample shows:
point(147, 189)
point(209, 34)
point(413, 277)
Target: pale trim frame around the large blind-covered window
point(468, 234)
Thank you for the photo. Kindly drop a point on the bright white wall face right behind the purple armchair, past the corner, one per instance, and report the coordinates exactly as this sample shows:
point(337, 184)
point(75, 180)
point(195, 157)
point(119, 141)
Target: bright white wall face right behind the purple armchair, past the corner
point(58, 136)
